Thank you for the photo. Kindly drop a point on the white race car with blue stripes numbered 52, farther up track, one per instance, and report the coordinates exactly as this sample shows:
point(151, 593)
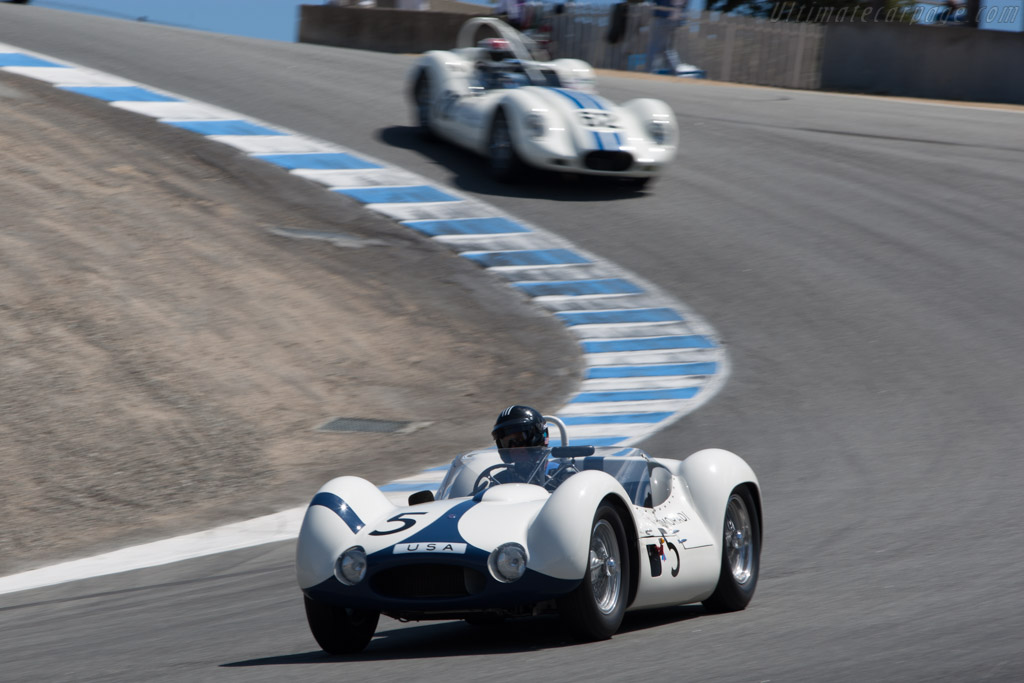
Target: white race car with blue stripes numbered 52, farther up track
point(495, 99)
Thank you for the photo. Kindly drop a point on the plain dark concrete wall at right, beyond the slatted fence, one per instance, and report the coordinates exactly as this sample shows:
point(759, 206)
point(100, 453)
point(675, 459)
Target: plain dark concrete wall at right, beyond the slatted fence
point(943, 63)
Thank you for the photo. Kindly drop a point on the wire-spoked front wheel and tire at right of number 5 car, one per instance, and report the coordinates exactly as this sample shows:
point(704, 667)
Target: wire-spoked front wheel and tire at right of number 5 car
point(595, 610)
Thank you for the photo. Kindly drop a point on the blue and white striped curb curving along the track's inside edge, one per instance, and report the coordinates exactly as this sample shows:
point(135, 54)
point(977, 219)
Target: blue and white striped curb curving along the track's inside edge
point(650, 360)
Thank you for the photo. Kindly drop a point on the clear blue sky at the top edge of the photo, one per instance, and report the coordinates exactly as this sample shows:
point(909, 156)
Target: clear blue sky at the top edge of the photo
point(278, 20)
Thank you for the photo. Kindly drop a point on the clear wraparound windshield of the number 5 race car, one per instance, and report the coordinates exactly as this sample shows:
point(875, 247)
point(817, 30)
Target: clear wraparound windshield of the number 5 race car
point(474, 473)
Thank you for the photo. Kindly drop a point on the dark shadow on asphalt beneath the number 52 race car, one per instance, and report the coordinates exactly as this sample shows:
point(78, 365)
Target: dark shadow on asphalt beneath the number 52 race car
point(473, 176)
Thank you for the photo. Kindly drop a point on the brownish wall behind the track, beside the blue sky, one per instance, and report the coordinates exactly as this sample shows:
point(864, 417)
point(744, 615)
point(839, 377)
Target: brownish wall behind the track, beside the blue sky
point(381, 30)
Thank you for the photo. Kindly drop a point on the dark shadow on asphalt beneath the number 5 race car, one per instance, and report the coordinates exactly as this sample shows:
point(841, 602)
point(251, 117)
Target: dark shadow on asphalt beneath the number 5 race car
point(444, 639)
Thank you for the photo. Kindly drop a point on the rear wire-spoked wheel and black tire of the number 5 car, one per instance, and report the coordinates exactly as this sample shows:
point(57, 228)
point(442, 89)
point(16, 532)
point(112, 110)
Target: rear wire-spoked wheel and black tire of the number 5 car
point(741, 556)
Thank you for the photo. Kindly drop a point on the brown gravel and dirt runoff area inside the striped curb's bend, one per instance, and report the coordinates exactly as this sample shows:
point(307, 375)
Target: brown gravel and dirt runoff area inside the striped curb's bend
point(167, 359)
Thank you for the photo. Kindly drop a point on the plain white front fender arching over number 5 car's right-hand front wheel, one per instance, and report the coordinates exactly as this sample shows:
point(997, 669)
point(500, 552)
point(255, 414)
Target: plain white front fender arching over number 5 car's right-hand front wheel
point(560, 539)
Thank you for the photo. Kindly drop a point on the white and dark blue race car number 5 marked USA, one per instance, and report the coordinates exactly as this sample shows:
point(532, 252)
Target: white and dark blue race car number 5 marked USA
point(587, 532)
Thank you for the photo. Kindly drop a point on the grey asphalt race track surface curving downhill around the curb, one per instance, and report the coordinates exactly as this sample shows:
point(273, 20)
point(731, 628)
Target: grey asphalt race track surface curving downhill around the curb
point(862, 260)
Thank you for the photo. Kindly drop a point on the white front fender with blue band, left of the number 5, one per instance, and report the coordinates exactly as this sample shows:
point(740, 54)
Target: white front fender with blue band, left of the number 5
point(336, 515)
